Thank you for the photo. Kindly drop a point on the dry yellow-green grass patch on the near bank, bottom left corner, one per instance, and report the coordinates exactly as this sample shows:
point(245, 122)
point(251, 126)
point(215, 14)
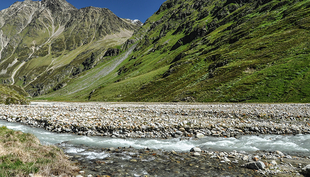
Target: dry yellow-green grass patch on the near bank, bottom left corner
point(22, 154)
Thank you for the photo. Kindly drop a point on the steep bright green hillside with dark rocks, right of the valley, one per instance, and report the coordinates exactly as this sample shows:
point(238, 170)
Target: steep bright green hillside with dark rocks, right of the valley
point(219, 51)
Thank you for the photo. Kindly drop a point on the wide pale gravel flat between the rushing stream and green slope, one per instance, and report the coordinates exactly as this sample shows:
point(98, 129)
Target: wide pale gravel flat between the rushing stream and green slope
point(161, 120)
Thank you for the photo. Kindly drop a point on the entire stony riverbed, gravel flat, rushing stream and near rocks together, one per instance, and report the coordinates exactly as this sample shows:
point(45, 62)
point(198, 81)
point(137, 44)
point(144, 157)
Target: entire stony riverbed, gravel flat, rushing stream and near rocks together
point(209, 126)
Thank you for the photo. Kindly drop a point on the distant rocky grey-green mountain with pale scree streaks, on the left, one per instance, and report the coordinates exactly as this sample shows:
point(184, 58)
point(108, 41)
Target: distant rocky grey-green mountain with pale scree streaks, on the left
point(43, 43)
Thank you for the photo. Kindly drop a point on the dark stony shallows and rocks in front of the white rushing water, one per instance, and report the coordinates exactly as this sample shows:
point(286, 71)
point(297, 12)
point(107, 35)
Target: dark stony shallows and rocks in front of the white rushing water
point(128, 161)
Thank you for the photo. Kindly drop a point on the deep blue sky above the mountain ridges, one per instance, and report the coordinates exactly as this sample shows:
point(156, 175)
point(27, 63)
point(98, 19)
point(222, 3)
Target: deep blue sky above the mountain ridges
point(132, 9)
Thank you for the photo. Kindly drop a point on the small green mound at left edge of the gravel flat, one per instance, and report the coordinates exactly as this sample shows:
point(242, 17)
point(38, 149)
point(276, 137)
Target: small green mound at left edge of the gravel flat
point(11, 94)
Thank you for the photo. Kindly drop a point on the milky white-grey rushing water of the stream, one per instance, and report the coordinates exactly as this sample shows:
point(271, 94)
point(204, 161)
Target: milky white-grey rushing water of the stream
point(289, 144)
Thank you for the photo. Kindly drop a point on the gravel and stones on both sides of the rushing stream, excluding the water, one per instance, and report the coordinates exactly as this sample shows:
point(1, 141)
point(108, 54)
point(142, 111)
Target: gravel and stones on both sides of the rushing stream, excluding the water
point(172, 120)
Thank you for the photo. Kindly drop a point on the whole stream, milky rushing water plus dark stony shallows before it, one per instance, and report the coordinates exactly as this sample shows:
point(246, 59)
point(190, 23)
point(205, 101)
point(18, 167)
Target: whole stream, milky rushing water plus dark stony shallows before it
point(92, 153)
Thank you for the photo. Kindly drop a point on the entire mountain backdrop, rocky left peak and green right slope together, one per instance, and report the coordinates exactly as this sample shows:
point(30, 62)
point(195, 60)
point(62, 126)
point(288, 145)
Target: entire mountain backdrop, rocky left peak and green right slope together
point(189, 50)
